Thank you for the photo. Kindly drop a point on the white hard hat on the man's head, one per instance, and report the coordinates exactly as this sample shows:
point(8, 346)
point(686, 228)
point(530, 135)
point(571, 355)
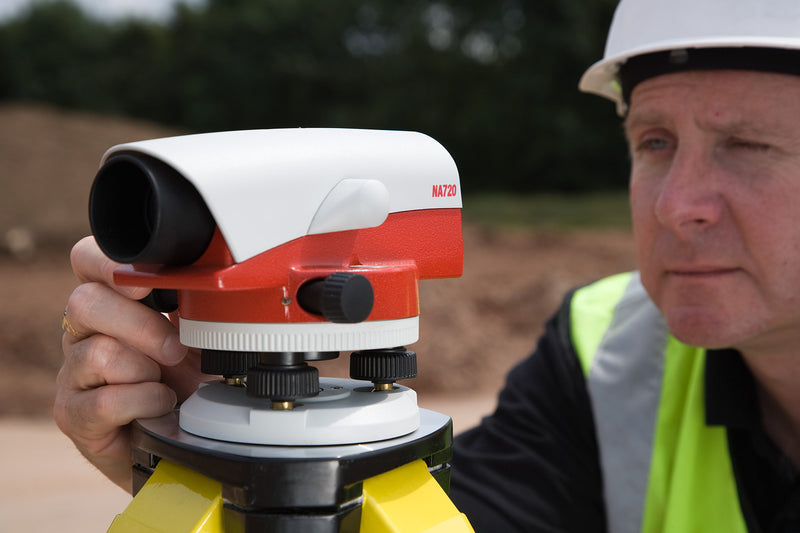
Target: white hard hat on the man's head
point(677, 27)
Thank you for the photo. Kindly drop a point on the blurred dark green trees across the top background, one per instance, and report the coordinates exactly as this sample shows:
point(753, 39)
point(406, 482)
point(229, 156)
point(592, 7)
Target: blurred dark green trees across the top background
point(495, 82)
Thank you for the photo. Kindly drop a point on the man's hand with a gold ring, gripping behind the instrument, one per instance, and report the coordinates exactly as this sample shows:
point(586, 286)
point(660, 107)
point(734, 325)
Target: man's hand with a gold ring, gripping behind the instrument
point(122, 361)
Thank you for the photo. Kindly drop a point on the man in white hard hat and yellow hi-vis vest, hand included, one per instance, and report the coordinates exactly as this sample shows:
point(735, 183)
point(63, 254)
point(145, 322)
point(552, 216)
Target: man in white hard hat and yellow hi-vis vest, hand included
point(665, 400)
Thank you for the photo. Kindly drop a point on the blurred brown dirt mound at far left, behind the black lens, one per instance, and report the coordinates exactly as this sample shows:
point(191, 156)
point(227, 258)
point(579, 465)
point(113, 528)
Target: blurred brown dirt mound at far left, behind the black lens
point(48, 159)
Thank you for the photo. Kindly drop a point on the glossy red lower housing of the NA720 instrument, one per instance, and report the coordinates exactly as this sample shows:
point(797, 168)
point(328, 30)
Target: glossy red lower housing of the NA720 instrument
point(407, 247)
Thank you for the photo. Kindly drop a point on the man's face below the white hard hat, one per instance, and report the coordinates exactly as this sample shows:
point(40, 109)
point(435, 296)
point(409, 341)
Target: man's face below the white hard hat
point(715, 199)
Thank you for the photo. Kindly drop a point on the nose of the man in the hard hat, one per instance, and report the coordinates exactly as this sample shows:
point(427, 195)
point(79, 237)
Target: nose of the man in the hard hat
point(689, 197)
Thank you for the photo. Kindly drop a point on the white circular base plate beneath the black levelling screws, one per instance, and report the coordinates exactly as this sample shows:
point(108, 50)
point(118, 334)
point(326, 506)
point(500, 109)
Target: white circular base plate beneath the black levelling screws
point(346, 411)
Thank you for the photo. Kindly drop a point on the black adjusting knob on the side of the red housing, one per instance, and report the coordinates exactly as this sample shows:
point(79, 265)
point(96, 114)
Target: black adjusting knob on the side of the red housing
point(342, 297)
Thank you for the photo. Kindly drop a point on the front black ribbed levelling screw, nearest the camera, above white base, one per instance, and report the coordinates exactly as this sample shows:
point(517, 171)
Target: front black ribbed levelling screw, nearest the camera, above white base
point(282, 383)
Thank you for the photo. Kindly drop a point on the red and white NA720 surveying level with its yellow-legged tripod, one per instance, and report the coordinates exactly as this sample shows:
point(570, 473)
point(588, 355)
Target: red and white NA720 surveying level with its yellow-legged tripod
point(278, 248)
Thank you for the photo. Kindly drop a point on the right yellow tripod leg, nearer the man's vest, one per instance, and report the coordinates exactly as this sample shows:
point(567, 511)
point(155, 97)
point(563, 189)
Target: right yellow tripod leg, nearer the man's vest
point(408, 500)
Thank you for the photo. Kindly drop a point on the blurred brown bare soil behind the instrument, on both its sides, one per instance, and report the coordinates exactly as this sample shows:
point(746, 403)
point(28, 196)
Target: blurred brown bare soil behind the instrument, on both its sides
point(473, 328)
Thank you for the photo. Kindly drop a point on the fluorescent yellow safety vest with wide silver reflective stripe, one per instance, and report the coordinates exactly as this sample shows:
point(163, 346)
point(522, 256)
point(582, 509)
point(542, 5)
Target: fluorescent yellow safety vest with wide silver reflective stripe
point(663, 469)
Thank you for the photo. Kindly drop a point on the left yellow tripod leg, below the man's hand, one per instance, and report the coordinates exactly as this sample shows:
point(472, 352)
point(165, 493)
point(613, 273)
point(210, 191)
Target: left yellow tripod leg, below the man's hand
point(174, 499)
